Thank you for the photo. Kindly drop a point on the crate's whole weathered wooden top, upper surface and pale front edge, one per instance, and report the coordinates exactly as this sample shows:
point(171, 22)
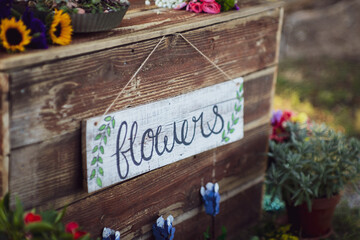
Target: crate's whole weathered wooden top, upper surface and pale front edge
point(173, 22)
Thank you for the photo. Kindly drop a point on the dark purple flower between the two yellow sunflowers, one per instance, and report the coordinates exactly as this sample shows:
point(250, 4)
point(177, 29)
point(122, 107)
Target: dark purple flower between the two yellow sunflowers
point(38, 30)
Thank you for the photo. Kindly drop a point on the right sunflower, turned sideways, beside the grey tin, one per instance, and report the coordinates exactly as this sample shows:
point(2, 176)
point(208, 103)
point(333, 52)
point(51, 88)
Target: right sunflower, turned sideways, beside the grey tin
point(61, 29)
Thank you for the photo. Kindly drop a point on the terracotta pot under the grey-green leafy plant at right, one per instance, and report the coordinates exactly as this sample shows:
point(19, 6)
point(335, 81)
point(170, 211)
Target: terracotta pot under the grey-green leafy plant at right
point(316, 223)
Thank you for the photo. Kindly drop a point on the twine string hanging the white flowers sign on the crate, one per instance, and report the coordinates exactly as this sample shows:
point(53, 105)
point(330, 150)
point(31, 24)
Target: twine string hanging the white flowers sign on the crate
point(148, 57)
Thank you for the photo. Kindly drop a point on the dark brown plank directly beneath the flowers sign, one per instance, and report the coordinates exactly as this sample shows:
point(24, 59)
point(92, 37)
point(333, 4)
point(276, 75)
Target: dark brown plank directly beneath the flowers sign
point(174, 189)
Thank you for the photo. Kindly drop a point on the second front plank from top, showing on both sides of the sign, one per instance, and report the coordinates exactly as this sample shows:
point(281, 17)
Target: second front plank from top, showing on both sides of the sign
point(51, 172)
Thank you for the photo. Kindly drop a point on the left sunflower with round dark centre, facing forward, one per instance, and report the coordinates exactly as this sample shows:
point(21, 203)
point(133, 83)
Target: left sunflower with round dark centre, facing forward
point(14, 35)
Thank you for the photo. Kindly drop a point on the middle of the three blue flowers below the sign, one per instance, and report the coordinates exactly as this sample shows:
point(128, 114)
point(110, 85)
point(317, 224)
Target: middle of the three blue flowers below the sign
point(163, 230)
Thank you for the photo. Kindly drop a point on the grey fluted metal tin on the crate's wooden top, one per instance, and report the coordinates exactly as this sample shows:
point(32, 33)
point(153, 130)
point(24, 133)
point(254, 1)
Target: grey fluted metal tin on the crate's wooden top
point(97, 22)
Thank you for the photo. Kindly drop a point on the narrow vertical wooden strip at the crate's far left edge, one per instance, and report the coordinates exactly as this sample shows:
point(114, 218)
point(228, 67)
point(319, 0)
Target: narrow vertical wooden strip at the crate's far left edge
point(4, 134)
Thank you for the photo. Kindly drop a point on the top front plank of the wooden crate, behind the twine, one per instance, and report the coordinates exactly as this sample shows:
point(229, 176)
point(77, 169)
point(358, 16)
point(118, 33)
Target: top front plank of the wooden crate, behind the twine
point(53, 98)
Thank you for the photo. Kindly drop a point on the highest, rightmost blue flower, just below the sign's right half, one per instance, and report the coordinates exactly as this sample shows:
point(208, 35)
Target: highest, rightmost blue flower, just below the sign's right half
point(211, 198)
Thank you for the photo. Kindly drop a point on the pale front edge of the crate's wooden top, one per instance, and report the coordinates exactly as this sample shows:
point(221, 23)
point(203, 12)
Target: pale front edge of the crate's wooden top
point(57, 53)
